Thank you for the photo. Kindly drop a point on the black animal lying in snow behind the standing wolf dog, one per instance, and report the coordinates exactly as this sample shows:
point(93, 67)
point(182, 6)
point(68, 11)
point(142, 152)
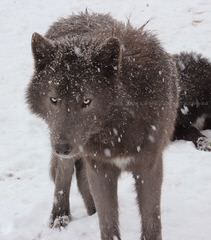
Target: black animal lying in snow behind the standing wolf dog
point(194, 112)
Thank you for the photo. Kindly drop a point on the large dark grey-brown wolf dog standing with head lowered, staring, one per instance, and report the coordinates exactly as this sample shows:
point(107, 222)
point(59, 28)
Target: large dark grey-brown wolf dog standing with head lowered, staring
point(109, 95)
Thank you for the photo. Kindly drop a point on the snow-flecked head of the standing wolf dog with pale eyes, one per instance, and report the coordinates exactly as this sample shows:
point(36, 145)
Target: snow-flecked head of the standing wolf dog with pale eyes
point(73, 89)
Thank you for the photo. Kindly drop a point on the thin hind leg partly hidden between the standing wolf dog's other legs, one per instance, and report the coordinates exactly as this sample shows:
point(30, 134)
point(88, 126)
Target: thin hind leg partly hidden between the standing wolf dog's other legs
point(83, 186)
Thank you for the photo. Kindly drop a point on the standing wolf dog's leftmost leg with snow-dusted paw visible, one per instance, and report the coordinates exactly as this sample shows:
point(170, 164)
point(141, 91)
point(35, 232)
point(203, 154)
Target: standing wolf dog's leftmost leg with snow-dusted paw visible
point(61, 172)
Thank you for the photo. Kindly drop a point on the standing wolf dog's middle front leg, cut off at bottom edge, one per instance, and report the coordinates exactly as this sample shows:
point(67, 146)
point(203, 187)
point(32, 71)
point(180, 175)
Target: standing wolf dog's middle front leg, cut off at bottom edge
point(103, 183)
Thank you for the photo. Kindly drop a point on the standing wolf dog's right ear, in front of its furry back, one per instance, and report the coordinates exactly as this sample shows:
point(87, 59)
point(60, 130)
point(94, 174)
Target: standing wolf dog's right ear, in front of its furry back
point(107, 57)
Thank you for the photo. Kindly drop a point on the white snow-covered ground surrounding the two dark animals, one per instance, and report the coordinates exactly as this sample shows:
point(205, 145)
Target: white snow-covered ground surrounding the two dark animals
point(26, 191)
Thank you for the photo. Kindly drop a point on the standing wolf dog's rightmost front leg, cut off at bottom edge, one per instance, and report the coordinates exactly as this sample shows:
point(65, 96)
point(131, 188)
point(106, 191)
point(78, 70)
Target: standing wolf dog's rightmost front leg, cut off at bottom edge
point(148, 183)
